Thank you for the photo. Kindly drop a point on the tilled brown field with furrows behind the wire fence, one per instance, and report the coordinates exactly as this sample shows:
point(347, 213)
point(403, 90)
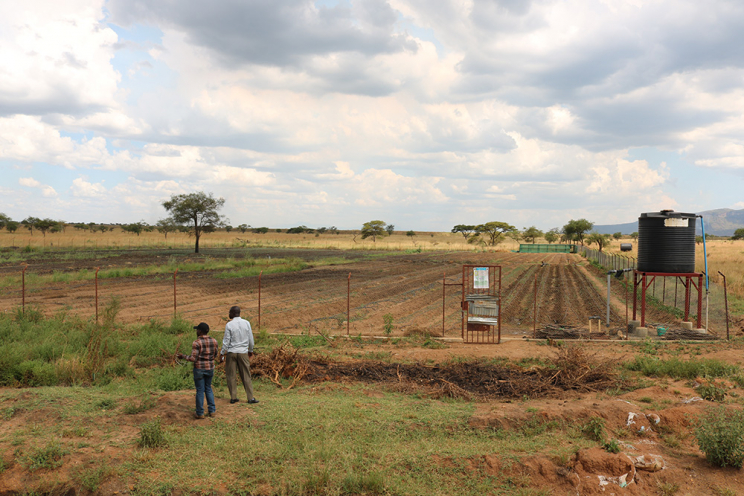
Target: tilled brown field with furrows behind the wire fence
point(406, 286)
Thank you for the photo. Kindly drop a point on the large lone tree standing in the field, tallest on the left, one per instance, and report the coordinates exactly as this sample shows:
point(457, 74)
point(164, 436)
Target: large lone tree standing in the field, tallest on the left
point(198, 210)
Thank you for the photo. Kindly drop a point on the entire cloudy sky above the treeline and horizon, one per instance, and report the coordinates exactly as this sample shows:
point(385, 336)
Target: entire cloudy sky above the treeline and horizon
point(334, 113)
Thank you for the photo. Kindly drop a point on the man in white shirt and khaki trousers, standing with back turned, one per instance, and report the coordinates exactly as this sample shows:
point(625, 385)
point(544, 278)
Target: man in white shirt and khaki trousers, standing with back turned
point(237, 348)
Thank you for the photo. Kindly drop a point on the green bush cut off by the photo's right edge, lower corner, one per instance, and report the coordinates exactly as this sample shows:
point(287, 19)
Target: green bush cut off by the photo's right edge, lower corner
point(720, 435)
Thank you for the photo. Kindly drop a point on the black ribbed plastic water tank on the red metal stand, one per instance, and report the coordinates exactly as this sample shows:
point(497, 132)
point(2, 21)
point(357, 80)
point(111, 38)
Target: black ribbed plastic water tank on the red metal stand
point(666, 242)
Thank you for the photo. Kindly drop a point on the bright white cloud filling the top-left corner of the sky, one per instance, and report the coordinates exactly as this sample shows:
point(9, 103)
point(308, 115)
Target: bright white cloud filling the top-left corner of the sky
point(56, 58)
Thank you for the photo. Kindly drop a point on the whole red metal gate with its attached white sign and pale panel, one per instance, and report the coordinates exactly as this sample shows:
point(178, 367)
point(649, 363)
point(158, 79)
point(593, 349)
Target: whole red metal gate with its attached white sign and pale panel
point(481, 303)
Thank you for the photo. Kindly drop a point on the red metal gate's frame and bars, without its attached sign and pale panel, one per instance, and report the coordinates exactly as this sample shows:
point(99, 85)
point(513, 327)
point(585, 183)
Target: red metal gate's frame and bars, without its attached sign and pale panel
point(483, 333)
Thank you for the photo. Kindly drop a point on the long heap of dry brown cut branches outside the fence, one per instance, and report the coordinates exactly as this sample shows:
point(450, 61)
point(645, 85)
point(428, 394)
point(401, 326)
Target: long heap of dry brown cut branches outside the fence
point(571, 369)
